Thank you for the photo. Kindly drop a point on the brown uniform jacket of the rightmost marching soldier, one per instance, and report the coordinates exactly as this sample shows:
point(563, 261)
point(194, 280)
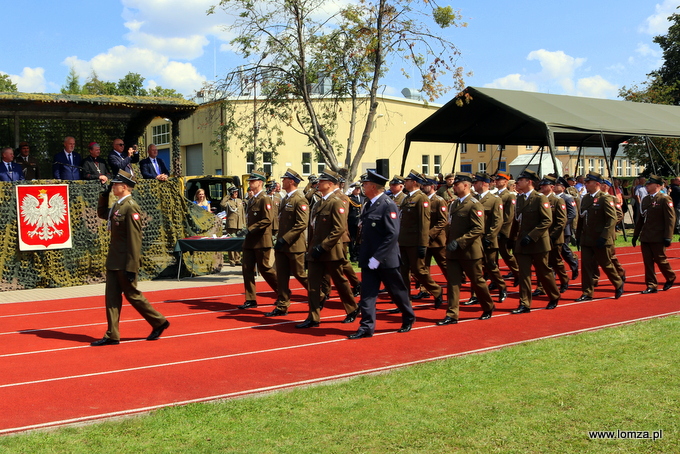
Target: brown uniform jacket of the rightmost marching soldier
point(657, 219)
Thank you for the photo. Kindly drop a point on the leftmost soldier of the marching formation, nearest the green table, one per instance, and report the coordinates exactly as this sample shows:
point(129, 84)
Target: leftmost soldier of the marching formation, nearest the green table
point(257, 245)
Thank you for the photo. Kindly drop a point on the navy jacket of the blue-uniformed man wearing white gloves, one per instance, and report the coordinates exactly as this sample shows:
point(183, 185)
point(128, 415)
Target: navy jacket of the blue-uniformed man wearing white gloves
point(380, 233)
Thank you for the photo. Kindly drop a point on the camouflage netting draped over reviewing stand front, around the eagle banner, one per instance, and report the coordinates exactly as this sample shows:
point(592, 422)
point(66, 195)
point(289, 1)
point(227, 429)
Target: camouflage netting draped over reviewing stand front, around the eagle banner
point(167, 217)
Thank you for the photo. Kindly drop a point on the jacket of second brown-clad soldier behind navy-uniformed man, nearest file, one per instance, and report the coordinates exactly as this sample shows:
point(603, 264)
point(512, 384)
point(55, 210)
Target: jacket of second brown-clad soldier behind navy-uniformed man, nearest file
point(533, 217)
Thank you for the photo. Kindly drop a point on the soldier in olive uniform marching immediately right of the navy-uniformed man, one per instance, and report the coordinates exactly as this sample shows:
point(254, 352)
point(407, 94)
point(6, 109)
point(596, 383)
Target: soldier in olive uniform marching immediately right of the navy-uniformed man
point(414, 236)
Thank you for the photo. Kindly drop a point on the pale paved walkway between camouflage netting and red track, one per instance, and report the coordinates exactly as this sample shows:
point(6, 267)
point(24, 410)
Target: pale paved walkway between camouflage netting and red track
point(229, 274)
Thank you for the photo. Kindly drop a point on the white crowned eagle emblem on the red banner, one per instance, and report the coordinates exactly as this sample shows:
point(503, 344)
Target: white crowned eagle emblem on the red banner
point(44, 215)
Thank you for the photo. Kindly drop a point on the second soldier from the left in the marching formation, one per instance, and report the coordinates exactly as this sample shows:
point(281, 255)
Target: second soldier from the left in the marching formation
point(291, 243)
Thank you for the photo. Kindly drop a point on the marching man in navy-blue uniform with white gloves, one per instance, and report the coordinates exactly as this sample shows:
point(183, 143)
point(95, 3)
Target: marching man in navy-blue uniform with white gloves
point(379, 257)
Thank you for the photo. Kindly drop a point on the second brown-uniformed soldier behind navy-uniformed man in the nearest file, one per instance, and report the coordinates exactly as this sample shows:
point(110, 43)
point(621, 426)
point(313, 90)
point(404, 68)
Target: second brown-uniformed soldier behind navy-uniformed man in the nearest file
point(533, 219)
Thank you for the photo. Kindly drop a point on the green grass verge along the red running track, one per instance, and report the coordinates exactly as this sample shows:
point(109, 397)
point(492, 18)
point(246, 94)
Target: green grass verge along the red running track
point(538, 397)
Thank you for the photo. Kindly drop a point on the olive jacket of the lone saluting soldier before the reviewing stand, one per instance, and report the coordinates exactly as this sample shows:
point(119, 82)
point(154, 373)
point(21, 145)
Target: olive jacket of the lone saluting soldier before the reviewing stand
point(125, 248)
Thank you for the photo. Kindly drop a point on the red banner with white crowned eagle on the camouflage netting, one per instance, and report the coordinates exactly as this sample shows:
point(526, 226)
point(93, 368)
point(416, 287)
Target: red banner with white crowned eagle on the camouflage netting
point(43, 217)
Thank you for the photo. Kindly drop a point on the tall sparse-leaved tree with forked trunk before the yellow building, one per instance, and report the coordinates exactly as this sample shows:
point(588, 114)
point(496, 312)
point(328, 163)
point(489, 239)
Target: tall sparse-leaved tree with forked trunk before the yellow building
point(308, 62)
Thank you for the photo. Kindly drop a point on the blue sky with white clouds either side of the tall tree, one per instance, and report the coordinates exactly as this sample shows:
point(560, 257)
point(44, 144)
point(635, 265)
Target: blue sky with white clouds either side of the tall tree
point(584, 48)
